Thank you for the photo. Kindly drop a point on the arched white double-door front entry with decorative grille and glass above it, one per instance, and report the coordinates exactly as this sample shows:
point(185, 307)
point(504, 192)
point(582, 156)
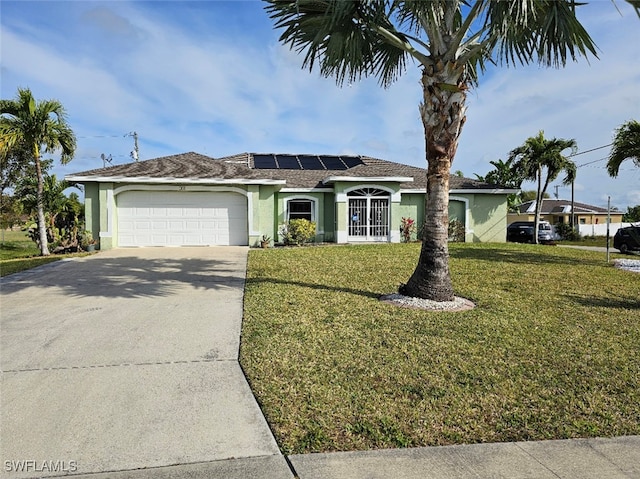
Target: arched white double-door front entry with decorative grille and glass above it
point(368, 215)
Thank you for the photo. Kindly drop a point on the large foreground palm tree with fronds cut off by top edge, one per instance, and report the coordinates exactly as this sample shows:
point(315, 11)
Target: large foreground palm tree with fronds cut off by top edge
point(451, 41)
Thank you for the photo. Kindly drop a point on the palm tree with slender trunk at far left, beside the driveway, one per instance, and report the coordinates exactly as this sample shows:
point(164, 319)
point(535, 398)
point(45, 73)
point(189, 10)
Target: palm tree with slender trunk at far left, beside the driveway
point(37, 127)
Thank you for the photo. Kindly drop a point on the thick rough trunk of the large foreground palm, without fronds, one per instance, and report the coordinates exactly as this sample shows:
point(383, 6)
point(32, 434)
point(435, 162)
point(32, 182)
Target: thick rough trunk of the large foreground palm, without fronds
point(443, 115)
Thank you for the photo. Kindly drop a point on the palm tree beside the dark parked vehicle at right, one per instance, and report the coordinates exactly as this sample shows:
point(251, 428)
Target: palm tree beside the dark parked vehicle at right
point(541, 160)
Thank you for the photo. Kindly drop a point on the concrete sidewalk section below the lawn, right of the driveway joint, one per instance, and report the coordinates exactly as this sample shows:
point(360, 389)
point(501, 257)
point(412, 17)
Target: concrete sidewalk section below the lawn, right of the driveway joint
point(615, 458)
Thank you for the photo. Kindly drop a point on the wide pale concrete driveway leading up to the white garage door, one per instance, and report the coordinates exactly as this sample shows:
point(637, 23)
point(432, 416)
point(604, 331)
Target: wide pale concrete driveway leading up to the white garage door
point(127, 360)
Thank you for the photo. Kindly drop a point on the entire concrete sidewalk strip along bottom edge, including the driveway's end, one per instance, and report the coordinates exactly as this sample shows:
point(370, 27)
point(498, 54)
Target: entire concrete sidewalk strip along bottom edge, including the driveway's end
point(615, 458)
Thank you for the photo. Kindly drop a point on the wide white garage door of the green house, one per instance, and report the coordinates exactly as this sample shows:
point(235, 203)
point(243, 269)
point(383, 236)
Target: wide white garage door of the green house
point(181, 218)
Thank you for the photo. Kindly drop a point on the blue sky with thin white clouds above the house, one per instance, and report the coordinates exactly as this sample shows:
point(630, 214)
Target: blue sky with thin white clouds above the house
point(211, 77)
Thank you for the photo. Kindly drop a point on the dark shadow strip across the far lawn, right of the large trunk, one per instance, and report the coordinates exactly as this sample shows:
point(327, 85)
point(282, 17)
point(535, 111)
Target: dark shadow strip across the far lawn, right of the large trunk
point(543, 256)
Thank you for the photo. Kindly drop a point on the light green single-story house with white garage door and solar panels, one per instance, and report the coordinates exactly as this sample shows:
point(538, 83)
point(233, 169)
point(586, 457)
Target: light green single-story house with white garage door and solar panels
point(192, 199)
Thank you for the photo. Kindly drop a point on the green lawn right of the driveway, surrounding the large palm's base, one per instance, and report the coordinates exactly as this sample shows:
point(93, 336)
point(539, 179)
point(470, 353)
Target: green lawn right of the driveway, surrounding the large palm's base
point(552, 349)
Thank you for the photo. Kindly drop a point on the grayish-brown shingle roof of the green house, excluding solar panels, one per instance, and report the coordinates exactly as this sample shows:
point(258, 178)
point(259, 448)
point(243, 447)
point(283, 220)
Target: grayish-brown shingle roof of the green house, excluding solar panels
point(194, 166)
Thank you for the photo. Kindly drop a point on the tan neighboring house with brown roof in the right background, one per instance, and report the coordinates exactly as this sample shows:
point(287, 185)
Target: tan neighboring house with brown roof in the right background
point(559, 211)
